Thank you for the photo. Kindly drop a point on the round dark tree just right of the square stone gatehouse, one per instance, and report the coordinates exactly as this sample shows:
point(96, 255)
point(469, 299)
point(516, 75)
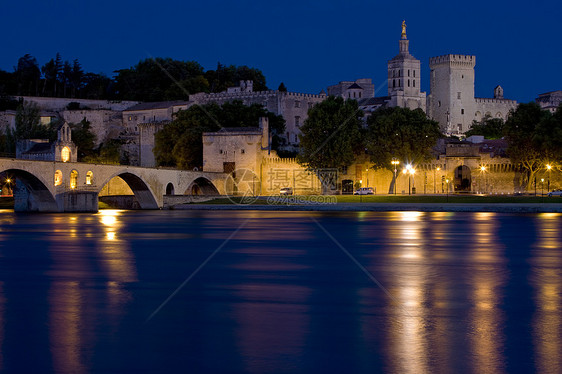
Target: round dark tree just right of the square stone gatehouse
point(331, 136)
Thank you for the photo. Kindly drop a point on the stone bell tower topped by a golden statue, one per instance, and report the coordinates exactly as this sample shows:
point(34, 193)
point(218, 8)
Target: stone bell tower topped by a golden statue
point(404, 78)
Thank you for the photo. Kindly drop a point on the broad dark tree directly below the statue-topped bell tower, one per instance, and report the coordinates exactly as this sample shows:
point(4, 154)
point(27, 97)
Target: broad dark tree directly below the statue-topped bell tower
point(397, 132)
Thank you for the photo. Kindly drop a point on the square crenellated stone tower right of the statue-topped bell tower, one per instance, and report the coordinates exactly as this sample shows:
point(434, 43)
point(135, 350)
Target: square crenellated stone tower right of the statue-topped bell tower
point(451, 100)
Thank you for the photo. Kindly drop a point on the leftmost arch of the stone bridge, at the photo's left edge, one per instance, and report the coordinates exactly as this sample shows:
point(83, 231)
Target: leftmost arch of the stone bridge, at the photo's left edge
point(38, 197)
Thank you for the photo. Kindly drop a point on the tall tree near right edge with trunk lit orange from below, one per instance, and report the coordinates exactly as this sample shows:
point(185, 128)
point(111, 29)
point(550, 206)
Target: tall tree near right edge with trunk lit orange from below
point(526, 129)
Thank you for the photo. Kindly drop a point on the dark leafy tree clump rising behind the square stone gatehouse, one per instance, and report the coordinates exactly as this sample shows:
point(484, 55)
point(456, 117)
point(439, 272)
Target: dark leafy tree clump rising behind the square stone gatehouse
point(179, 144)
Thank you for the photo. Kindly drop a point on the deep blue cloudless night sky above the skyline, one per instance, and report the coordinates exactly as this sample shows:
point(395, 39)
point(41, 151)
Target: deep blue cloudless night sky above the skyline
point(306, 44)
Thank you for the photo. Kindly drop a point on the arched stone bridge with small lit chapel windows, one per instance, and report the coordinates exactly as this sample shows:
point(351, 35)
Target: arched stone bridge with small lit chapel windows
point(50, 186)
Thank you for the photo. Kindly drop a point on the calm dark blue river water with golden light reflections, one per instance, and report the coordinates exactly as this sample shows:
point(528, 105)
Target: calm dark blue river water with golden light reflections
point(280, 292)
